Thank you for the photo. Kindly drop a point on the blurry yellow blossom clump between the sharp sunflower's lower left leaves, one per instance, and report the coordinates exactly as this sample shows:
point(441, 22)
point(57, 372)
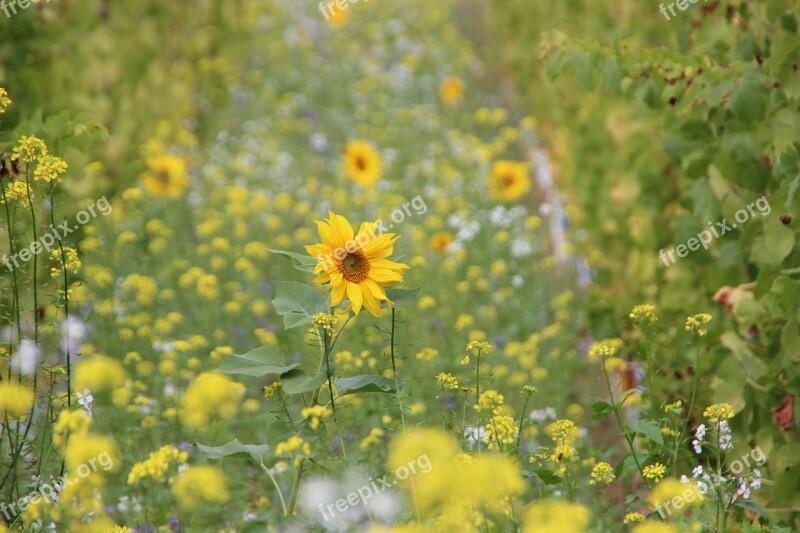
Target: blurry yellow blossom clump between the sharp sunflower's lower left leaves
point(209, 397)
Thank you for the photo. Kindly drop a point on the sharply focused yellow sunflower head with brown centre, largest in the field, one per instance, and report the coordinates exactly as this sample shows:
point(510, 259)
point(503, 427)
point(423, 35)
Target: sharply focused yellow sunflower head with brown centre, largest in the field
point(356, 266)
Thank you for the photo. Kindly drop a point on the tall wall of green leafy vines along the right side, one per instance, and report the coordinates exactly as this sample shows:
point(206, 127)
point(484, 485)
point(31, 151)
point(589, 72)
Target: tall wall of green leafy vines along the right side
point(657, 127)
